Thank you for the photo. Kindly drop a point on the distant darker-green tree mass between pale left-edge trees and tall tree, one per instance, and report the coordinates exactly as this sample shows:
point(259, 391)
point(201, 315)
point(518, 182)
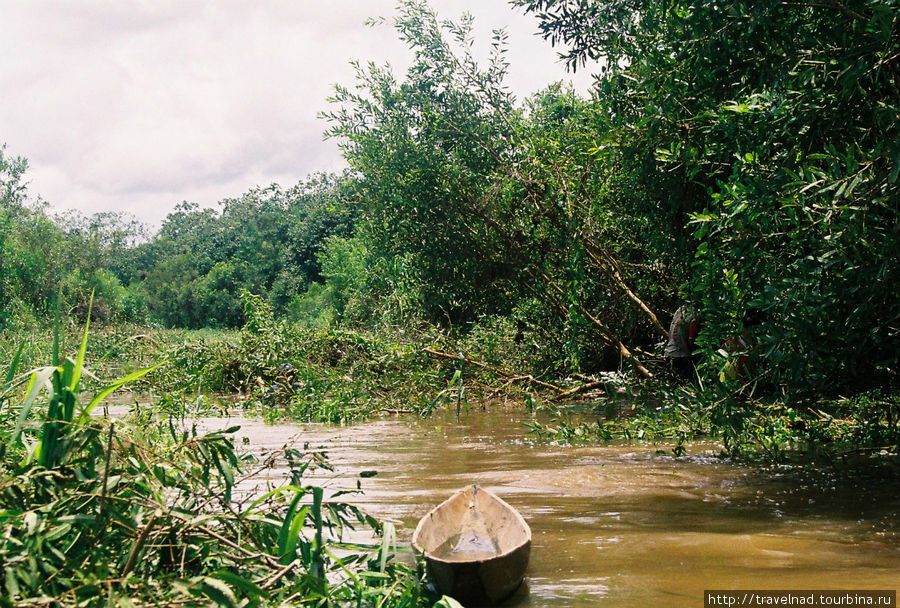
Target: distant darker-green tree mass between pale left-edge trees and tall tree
point(266, 241)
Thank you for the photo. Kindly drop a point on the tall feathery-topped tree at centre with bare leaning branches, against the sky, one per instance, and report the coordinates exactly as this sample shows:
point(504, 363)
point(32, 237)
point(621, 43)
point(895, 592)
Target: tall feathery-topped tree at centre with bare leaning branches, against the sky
point(498, 205)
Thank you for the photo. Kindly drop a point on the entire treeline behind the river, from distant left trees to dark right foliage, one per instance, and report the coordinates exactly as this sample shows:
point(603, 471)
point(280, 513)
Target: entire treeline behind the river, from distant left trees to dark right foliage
point(732, 155)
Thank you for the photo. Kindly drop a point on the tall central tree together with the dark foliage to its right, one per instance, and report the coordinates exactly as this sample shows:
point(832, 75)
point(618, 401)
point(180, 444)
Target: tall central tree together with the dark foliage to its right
point(740, 154)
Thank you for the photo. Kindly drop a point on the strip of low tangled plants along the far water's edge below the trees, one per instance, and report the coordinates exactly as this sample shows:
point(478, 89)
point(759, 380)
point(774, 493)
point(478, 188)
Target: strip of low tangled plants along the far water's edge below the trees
point(283, 371)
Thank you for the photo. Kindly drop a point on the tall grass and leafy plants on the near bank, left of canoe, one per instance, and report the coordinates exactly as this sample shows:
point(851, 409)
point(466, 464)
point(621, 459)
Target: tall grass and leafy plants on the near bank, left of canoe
point(97, 512)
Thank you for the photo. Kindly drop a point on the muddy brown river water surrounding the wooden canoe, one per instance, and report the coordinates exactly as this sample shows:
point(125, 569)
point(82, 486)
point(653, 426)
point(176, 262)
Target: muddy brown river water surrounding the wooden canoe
point(616, 525)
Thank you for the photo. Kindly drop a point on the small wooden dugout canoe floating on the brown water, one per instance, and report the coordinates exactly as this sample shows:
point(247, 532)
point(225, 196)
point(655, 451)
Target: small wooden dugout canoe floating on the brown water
point(475, 547)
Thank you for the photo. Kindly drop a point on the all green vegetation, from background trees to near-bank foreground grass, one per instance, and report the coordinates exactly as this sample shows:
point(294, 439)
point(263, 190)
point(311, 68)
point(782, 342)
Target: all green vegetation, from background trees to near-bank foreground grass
point(732, 155)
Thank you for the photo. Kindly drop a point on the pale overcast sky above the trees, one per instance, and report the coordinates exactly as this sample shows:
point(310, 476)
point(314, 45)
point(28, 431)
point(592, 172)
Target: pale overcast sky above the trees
point(136, 105)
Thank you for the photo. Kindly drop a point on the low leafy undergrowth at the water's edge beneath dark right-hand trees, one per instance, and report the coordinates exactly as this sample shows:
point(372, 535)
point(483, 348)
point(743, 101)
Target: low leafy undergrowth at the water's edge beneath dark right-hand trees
point(744, 426)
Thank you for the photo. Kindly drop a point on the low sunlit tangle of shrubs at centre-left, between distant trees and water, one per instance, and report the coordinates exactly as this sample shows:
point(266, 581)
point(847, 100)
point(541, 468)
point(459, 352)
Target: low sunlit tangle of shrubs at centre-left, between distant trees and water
point(284, 370)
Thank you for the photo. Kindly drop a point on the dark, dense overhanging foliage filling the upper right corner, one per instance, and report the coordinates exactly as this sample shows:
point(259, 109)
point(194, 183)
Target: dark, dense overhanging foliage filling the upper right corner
point(778, 121)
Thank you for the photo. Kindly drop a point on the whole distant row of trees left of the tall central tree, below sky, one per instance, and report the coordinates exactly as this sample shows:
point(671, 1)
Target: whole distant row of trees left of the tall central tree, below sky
point(189, 274)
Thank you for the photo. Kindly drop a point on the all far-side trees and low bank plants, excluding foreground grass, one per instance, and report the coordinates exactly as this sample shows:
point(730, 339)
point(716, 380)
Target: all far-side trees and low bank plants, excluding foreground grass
point(732, 155)
